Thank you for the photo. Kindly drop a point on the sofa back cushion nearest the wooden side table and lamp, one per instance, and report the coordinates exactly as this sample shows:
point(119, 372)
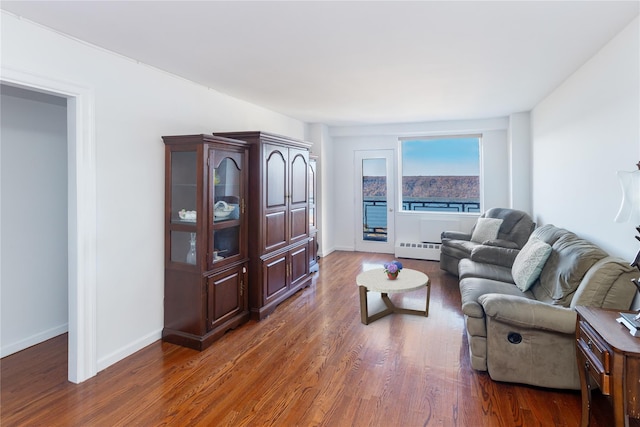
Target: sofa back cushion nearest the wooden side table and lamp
point(607, 284)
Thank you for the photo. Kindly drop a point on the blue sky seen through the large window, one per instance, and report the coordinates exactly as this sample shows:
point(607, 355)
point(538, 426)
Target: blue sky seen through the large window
point(435, 157)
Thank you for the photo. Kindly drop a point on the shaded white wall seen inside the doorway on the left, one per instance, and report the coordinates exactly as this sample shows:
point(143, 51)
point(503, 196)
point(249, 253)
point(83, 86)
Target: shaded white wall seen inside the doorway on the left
point(34, 277)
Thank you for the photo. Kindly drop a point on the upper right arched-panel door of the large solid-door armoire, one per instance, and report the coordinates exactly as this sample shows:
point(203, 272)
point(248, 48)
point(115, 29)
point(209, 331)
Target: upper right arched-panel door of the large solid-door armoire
point(298, 195)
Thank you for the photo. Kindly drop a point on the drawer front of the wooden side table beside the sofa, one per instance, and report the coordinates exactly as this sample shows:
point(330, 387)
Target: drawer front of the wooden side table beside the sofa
point(597, 355)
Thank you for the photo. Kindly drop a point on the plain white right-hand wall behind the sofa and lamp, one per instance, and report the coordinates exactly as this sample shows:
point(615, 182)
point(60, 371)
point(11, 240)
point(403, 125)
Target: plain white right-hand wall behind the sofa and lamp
point(584, 132)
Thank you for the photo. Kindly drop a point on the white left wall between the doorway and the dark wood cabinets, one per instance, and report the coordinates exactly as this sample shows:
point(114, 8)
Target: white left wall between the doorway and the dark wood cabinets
point(134, 106)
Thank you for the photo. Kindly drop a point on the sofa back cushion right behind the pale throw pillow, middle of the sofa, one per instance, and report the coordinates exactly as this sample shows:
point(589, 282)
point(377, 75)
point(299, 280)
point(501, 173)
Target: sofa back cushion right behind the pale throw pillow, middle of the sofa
point(561, 275)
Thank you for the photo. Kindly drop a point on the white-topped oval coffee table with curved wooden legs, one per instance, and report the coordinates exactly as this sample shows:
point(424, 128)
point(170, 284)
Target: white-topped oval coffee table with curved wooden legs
point(376, 281)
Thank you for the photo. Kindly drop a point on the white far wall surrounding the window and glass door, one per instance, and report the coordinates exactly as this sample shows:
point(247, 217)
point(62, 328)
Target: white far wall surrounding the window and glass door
point(346, 140)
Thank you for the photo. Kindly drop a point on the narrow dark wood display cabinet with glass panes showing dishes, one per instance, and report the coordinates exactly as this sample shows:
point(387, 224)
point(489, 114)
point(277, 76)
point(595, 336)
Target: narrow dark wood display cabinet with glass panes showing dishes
point(206, 231)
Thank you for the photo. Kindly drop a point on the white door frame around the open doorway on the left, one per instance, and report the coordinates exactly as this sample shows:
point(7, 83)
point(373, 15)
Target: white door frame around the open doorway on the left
point(82, 221)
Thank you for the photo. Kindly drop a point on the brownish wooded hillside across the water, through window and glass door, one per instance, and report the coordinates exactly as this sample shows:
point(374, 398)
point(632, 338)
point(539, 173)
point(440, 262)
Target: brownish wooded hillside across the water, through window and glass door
point(423, 187)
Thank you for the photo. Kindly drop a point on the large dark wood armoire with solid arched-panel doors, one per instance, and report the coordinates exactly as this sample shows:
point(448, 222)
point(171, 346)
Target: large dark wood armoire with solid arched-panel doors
point(278, 218)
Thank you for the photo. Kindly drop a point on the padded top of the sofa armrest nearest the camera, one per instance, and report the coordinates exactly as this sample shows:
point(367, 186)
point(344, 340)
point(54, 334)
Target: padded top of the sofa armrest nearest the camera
point(528, 313)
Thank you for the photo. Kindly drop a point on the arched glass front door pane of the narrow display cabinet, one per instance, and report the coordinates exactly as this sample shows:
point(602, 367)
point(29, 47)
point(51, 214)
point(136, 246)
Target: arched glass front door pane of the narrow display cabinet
point(226, 205)
